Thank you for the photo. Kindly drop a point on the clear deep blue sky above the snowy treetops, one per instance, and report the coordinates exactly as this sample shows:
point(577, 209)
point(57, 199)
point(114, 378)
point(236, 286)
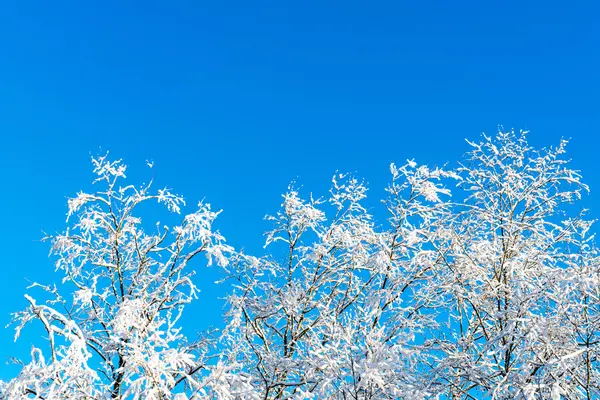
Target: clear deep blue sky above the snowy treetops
point(233, 100)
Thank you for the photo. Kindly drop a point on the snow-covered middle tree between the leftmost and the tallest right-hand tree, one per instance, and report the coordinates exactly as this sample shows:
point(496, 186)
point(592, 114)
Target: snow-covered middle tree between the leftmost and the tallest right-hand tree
point(334, 312)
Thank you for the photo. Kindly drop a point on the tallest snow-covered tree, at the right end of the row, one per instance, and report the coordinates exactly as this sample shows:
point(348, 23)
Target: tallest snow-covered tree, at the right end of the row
point(518, 259)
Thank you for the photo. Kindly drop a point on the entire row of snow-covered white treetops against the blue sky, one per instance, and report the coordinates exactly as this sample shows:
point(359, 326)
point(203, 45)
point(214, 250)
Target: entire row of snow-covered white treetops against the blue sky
point(492, 293)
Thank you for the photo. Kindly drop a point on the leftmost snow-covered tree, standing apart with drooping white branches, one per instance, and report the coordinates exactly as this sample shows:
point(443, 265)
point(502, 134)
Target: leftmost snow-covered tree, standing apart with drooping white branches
point(115, 334)
